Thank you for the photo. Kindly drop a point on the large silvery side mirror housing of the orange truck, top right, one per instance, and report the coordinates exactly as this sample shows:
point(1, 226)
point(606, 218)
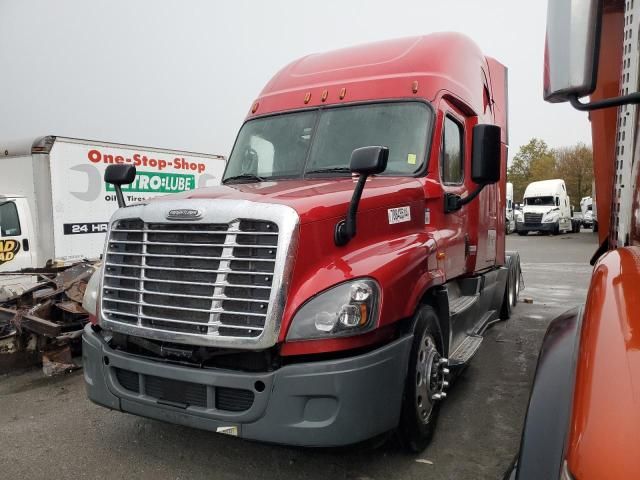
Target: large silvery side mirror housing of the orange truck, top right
point(571, 52)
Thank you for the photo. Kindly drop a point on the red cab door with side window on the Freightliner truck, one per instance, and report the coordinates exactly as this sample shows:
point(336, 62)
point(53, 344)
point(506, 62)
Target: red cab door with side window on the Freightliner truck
point(453, 168)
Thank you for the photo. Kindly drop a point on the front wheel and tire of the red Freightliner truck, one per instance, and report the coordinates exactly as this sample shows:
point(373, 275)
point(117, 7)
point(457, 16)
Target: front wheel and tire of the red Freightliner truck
point(419, 410)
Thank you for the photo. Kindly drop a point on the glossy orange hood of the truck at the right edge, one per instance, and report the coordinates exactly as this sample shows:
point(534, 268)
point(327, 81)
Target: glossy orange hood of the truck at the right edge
point(606, 408)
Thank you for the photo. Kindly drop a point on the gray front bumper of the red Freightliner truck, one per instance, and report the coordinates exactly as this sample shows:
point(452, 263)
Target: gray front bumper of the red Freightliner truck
point(325, 403)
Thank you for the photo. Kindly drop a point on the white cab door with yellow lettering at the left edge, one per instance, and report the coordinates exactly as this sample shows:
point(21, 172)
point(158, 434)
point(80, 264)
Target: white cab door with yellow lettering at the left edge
point(15, 244)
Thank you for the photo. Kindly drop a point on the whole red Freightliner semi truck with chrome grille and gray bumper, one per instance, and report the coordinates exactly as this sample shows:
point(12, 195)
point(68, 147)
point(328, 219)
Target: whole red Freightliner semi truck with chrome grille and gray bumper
point(346, 268)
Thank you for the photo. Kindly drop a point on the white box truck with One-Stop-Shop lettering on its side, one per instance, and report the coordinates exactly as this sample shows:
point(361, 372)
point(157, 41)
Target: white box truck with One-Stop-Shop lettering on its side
point(55, 206)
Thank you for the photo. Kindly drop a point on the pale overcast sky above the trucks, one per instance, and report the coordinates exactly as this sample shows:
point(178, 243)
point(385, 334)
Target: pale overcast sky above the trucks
point(183, 74)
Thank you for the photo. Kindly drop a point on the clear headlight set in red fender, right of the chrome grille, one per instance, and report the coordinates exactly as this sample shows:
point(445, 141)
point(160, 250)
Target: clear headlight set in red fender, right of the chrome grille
point(347, 309)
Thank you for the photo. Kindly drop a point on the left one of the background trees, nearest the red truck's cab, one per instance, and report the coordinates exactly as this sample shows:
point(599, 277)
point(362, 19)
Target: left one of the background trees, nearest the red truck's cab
point(534, 161)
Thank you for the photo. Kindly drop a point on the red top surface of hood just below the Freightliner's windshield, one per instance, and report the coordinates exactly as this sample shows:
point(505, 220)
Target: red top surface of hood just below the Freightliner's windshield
point(315, 199)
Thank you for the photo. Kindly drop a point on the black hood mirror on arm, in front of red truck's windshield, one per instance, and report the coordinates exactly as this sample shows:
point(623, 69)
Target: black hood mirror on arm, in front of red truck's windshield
point(364, 161)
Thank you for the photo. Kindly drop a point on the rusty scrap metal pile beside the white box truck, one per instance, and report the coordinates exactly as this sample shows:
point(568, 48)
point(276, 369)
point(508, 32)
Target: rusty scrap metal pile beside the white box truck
point(43, 321)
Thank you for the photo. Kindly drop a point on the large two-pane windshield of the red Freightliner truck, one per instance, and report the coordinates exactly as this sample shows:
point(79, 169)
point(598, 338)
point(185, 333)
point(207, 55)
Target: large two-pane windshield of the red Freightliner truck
point(319, 142)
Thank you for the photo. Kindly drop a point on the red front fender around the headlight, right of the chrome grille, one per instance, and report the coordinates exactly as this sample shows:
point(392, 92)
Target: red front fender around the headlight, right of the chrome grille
point(402, 262)
